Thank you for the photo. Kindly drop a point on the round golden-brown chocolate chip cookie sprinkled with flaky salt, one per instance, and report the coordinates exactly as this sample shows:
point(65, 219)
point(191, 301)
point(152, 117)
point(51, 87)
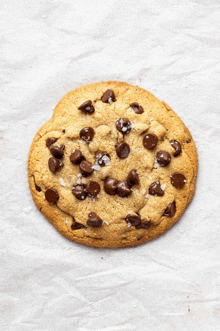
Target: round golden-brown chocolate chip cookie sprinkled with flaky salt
point(113, 167)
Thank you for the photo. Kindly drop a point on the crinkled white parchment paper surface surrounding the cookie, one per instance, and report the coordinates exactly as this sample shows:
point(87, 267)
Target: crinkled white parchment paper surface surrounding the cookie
point(171, 48)
